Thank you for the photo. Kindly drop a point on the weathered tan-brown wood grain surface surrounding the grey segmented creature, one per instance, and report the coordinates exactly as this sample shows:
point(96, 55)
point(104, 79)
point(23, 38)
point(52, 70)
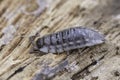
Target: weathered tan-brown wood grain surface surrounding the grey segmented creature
point(100, 62)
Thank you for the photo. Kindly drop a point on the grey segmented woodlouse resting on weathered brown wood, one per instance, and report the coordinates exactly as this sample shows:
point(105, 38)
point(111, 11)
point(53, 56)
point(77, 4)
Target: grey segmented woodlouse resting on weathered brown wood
point(68, 39)
